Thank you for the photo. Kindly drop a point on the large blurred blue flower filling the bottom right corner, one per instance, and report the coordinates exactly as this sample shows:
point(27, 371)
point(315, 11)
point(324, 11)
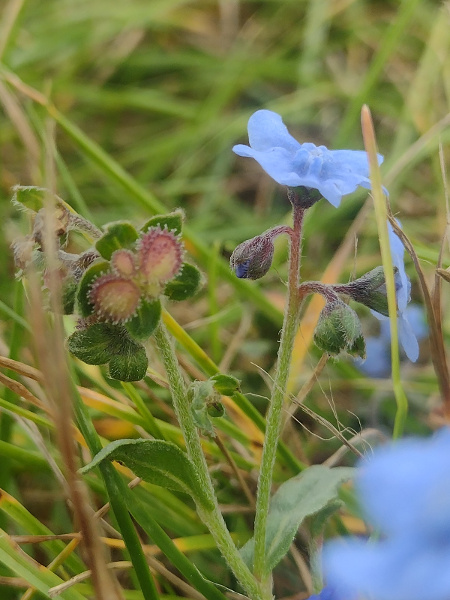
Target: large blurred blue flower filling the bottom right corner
point(404, 490)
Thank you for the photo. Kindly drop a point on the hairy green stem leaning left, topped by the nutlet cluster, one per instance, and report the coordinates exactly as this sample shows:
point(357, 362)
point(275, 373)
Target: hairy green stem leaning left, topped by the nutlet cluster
point(213, 518)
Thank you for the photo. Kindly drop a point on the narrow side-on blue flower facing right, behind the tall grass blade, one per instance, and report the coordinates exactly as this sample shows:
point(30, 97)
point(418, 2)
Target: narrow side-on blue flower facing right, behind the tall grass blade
point(406, 334)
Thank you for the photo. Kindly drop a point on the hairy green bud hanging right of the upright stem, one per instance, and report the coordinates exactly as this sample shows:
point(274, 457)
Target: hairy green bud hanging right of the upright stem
point(339, 329)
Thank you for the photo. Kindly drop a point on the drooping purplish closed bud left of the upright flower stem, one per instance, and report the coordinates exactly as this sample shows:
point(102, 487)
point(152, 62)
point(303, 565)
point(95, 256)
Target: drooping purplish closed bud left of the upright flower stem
point(253, 258)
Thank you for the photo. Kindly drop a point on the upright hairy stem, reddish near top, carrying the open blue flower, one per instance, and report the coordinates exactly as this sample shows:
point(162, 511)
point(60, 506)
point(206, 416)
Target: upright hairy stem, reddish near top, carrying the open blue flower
point(274, 417)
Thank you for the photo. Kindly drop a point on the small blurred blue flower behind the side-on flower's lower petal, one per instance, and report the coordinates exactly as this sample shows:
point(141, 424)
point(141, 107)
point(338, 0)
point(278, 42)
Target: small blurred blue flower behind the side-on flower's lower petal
point(377, 363)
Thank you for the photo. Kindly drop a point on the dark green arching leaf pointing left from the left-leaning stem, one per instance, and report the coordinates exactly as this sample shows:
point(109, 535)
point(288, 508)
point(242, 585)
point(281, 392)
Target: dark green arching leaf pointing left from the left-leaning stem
point(158, 462)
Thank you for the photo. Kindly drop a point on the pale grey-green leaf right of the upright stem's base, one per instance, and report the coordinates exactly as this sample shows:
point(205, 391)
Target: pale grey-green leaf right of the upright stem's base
point(302, 495)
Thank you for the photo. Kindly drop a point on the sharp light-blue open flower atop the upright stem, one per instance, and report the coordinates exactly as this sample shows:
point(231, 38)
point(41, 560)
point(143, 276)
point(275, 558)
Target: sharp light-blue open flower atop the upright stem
point(334, 173)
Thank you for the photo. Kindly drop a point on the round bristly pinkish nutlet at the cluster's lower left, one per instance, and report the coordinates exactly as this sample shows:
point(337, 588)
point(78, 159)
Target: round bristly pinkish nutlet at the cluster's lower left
point(115, 298)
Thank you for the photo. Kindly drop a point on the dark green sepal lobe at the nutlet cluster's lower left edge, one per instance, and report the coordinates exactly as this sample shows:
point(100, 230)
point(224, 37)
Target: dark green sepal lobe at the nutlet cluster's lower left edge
point(96, 344)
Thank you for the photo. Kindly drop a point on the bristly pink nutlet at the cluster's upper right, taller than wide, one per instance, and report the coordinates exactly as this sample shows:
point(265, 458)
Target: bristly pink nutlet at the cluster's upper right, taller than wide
point(159, 259)
